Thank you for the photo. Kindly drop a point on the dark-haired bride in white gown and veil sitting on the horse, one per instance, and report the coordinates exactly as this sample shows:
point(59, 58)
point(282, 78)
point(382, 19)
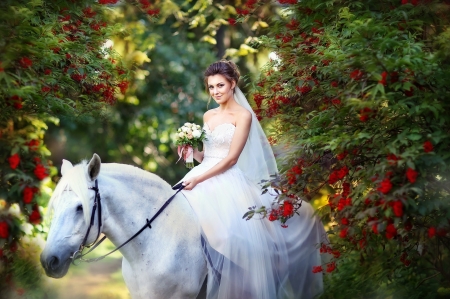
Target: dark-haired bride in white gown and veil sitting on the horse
point(255, 259)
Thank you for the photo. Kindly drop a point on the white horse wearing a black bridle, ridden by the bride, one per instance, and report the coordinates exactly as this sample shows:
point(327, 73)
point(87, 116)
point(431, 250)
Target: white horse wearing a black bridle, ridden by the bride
point(165, 261)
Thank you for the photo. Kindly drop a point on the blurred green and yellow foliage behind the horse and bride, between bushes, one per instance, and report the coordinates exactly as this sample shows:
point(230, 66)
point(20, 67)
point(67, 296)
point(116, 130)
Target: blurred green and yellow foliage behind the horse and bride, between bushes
point(167, 57)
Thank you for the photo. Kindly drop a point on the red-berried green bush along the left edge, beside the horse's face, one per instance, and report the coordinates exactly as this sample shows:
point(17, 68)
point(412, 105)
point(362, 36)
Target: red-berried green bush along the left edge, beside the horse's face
point(53, 63)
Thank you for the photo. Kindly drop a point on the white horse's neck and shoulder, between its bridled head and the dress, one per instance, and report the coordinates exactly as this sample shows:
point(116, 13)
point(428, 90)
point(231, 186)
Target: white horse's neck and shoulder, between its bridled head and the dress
point(163, 262)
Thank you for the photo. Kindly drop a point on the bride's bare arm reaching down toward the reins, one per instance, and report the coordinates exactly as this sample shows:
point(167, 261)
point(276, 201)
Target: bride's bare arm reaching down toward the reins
point(243, 124)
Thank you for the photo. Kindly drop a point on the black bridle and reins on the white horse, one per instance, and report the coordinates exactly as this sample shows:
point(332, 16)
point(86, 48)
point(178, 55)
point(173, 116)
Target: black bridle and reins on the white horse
point(78, 255)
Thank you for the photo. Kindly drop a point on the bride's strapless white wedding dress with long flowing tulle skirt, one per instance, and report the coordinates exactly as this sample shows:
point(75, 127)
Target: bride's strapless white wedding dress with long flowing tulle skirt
point(255, 259)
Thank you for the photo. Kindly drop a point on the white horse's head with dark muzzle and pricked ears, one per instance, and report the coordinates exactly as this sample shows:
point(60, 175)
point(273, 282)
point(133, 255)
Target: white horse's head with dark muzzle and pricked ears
point(71, 205)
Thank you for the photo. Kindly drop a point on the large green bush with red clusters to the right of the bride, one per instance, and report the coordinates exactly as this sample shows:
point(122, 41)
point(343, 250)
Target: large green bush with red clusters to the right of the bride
point(357, 97)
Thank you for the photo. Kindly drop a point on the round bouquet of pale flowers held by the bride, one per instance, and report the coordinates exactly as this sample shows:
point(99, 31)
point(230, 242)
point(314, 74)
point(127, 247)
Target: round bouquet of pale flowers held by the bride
point(188, 137)
